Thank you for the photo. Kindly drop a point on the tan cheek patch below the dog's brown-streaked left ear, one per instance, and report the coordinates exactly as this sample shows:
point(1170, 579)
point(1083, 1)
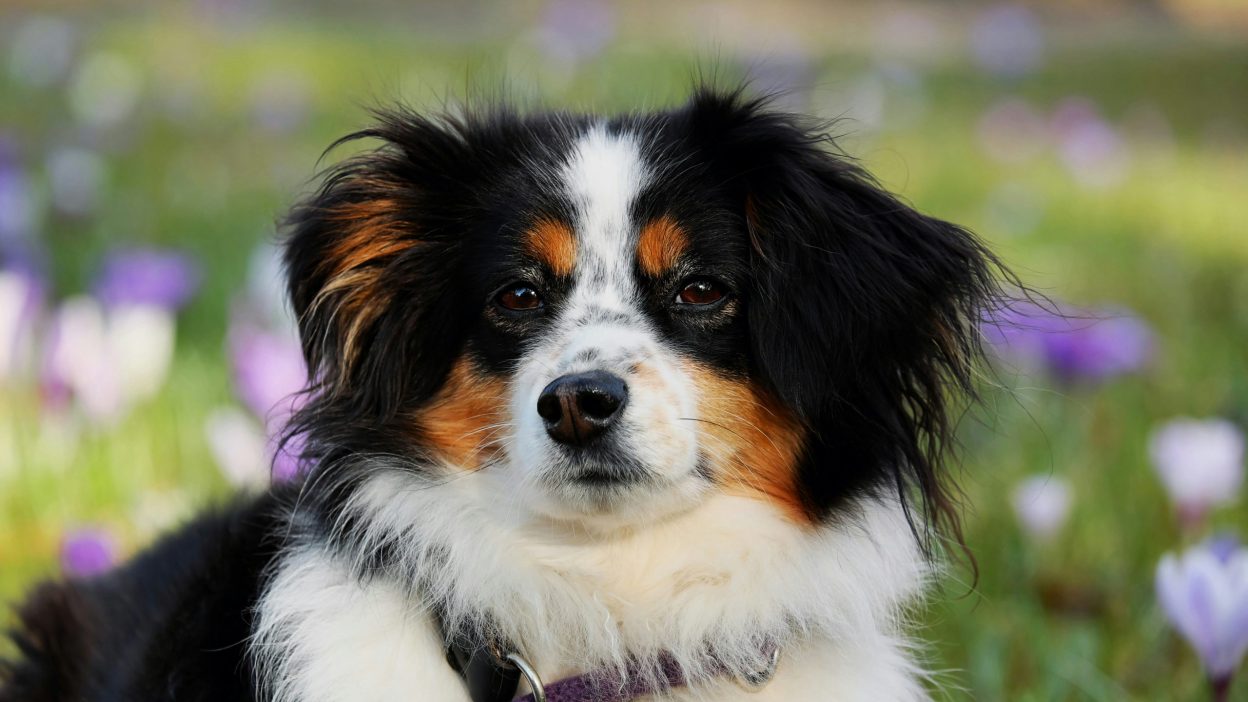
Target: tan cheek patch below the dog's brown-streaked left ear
point(464, 420)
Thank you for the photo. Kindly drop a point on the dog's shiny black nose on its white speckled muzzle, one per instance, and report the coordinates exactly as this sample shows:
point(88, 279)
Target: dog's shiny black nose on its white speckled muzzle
point(580, 408)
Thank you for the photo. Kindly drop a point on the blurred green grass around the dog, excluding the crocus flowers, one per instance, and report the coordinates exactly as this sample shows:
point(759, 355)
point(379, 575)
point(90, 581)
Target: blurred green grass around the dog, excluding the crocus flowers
point(1074, 619)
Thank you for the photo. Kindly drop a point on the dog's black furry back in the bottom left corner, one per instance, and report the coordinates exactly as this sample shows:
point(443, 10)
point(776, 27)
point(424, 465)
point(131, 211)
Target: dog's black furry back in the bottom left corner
point(170, 625)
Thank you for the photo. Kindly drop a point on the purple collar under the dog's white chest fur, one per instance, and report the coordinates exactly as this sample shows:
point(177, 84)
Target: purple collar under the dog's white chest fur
point(608, 686)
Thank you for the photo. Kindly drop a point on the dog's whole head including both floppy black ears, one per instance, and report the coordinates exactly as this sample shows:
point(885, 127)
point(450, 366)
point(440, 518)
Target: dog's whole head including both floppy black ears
point(617, 318)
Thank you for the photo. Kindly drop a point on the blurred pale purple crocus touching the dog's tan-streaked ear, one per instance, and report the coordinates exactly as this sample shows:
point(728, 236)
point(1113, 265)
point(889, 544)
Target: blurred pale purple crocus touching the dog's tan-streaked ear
point(269, 373)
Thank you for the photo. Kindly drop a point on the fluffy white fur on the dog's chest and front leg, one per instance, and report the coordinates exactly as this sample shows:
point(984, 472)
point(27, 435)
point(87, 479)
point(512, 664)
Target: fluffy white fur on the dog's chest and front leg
point(722, 578)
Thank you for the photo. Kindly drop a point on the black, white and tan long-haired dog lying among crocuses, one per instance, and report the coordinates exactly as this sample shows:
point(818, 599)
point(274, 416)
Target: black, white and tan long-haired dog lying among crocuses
point(641, 408)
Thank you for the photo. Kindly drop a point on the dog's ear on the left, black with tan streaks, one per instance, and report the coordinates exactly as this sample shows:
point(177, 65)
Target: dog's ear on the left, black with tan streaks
point(371, 260)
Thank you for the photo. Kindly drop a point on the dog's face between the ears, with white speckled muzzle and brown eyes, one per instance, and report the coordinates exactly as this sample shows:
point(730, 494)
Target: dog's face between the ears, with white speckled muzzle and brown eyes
point(623, 338)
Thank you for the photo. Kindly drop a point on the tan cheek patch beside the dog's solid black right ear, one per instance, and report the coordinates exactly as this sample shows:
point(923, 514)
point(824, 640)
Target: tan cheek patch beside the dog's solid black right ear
point(753, 442)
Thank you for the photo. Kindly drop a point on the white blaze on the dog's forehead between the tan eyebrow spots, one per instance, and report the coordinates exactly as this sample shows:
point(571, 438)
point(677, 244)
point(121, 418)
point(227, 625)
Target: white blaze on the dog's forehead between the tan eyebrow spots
point(603, 177)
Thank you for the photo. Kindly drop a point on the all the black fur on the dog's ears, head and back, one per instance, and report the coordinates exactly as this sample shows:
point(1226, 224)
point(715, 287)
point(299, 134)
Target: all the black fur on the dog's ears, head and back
point(856, 310)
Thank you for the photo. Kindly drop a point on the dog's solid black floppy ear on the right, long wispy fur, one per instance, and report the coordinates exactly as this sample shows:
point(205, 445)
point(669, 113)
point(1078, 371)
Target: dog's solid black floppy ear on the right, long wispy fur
point(864, 313)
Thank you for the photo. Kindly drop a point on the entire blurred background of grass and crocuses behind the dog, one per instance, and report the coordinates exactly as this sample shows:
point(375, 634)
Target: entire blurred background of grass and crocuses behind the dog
point(148, 152)
